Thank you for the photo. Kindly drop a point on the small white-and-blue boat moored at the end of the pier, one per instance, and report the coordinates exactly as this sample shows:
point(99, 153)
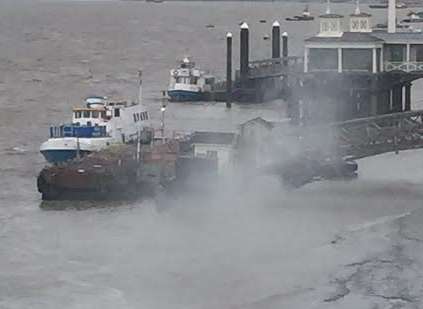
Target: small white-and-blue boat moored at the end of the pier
point(188, 83)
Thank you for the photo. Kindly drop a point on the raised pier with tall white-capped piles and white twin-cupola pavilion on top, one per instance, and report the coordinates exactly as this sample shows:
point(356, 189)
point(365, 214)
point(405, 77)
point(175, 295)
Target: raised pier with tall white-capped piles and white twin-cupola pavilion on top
point(347, 71)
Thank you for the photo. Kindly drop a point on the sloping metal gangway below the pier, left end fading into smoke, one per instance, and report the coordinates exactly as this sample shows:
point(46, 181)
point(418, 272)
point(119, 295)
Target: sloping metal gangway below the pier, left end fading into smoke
point(364, 137)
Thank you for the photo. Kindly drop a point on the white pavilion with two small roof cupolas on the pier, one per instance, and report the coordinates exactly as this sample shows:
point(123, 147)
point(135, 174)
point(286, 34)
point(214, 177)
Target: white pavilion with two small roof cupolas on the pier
point(359, 49)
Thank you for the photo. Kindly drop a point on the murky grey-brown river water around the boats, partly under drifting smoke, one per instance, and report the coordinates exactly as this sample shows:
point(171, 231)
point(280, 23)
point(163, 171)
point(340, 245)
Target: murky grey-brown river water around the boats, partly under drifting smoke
point(328, 245)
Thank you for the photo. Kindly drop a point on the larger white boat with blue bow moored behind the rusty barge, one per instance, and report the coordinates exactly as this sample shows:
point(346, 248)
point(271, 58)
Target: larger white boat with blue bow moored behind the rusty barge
point(98, 125)
